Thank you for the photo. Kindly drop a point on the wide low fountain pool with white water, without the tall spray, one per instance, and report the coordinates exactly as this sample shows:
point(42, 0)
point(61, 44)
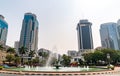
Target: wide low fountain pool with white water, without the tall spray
point(53, 69)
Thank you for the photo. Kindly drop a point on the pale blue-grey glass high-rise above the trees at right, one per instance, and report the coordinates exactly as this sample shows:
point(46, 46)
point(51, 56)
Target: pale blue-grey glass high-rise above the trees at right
point(109, 35)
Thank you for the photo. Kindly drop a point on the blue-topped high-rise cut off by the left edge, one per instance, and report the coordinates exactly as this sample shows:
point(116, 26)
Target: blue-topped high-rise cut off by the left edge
point(3, 30)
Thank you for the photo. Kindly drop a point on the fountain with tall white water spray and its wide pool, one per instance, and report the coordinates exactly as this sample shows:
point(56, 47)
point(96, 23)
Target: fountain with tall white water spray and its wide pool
point(56, 68)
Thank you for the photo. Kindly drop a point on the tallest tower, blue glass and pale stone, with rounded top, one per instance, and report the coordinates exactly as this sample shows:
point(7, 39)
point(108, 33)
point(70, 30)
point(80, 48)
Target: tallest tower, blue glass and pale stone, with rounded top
point(29, 32)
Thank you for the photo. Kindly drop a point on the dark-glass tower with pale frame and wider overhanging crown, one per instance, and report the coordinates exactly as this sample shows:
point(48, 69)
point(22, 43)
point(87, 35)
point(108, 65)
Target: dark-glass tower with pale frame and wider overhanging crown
point(84, 33)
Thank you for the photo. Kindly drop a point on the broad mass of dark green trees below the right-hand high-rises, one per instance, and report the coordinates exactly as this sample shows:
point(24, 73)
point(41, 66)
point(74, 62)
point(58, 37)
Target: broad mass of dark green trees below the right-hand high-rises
point(101, 55)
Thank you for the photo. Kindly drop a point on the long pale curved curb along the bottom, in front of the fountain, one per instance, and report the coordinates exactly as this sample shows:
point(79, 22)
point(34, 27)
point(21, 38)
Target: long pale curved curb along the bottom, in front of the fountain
point(60, 73)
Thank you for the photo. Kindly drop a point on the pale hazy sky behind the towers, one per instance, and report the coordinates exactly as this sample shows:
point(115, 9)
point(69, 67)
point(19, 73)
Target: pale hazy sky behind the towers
point(58, 20)
